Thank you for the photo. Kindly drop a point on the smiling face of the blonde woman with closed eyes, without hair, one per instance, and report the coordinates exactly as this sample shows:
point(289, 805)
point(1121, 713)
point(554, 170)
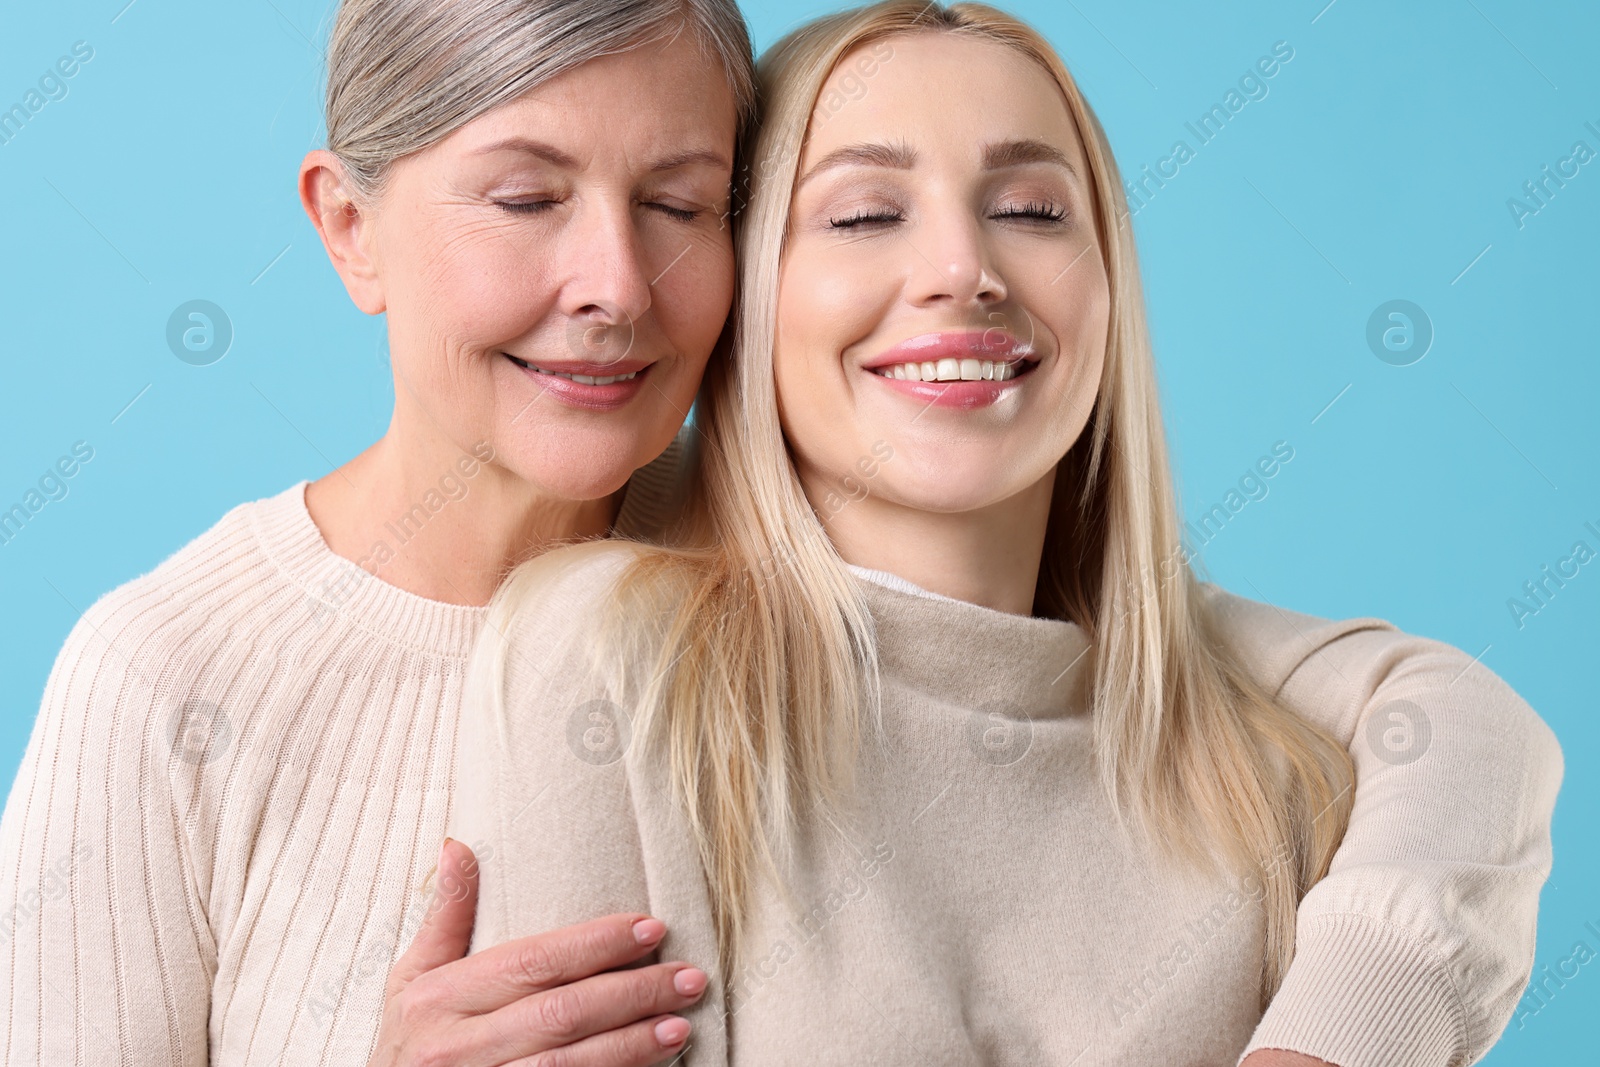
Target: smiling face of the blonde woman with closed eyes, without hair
point(943, 305)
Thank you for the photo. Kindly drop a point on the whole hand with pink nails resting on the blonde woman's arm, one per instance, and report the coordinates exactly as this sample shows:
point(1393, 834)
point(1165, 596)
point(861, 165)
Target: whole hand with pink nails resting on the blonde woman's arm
point(553, 991)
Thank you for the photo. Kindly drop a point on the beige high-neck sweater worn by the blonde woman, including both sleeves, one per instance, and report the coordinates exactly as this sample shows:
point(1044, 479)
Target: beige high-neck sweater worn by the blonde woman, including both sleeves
point(985, 911)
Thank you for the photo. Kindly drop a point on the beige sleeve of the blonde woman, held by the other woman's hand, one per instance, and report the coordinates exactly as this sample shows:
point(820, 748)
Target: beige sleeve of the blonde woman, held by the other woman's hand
point(570, 817)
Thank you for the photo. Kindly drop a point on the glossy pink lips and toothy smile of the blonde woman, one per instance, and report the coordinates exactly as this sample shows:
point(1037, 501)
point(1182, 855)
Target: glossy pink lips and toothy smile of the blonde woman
point(956, 370)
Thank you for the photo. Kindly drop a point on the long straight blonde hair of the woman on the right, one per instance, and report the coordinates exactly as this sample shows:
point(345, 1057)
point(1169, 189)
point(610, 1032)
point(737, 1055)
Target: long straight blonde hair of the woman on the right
point(762, 666)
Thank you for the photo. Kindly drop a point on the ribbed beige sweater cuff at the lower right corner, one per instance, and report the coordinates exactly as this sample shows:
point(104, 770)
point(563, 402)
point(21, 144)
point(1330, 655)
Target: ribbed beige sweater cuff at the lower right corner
point(1366, 994)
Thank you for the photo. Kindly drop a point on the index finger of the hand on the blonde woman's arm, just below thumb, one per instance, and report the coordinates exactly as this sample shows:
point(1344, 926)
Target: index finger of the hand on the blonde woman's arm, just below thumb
point(510, 972)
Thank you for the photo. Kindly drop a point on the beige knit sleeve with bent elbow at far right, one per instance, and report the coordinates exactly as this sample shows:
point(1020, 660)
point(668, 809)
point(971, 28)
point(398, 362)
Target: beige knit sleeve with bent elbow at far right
point(1417, 946)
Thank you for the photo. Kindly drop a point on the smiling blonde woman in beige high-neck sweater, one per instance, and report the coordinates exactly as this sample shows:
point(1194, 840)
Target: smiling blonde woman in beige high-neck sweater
point(930, 738)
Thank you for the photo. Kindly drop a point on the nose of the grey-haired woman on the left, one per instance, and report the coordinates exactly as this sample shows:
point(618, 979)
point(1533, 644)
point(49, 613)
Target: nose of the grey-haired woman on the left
point(607, 282)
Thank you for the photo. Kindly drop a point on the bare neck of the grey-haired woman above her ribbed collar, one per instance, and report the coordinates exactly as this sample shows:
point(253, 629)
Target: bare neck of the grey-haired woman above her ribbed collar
point(420, 514)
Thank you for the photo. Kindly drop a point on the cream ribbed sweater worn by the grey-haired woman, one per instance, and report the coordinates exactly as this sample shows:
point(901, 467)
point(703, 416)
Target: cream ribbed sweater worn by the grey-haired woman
point(226, 818)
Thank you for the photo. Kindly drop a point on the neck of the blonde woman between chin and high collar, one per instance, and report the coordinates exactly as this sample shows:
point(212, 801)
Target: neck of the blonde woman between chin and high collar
point(988, 557)
